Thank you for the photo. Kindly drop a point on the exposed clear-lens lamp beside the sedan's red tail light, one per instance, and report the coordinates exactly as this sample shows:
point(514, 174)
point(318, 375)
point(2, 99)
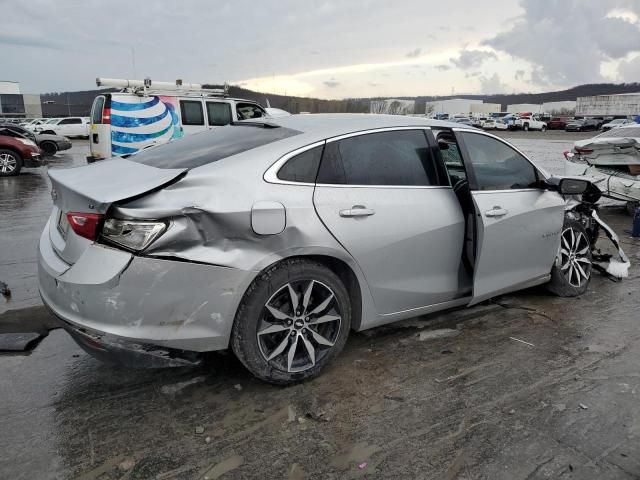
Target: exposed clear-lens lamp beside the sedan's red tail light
point(134, 235)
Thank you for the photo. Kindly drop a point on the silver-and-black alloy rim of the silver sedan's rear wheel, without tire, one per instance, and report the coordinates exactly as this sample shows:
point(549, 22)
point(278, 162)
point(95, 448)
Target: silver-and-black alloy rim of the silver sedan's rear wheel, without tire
point(299, 325)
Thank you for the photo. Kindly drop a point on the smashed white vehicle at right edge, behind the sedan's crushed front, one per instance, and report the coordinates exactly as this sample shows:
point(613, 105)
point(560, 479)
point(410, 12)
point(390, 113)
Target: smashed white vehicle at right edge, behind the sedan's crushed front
point(611, 160)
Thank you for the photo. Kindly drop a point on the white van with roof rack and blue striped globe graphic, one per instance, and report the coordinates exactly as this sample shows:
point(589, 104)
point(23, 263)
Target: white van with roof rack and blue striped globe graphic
point(146, 113)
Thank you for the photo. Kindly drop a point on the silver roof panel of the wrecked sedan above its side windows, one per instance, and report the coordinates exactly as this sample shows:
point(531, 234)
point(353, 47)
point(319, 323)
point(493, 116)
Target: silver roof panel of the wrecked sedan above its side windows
point(327, 125)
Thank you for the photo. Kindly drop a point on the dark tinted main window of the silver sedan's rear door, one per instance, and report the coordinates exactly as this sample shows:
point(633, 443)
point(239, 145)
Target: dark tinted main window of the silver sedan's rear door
point(396, 158)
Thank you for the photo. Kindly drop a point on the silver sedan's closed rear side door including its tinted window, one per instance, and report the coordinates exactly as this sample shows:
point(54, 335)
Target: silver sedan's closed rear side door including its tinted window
point(380, 195)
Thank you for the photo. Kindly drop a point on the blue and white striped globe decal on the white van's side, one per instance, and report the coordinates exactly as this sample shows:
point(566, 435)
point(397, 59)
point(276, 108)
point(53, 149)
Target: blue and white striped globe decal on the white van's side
point(137, 122)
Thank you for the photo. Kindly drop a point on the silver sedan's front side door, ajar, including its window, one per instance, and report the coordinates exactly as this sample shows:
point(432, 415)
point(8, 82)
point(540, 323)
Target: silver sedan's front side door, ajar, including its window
point(518, 223)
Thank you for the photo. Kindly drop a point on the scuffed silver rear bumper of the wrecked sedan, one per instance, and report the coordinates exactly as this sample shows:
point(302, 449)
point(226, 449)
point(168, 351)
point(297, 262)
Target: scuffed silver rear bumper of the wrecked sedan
point(112, 301)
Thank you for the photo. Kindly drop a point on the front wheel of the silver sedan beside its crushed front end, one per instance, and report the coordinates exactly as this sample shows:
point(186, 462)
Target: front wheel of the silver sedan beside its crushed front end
point(572, 270)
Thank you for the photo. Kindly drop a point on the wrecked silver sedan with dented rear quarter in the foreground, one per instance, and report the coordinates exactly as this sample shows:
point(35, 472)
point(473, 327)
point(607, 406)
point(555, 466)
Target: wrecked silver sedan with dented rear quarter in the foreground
point(277, 239)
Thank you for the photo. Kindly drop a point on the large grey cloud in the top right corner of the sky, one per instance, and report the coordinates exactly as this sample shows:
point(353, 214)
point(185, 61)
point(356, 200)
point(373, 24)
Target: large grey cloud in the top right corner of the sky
point(566, 41)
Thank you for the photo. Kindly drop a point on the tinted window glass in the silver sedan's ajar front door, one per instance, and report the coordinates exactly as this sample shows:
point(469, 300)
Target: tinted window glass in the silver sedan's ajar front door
point(496, 165)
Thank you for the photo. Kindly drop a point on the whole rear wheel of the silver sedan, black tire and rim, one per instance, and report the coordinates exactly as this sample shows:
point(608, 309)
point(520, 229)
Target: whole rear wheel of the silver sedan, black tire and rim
point(273, 288)
